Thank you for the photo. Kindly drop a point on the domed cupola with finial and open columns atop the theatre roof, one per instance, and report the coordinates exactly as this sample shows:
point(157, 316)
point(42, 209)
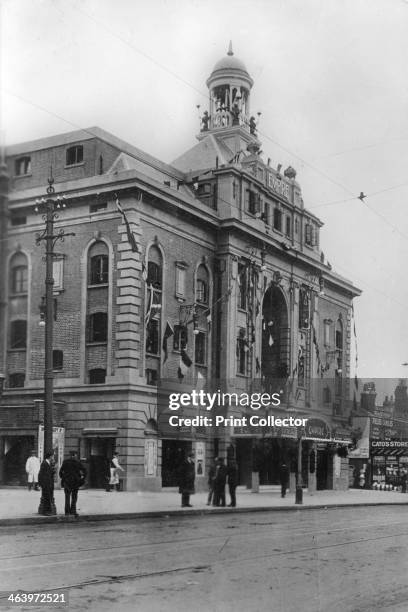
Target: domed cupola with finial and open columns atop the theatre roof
point(229, 86)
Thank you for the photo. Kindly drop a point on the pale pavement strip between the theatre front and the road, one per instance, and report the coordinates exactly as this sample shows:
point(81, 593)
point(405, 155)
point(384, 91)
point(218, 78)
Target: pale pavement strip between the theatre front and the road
point(18, 506)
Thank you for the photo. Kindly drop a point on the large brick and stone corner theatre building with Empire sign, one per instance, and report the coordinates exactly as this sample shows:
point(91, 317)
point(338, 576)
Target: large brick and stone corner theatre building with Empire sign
point(205, 273)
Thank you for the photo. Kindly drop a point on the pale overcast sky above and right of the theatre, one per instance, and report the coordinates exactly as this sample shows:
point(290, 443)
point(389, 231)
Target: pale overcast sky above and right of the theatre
point(331, 82)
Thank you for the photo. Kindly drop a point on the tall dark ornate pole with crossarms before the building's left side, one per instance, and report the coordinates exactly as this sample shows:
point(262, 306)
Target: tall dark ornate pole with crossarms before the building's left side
point(49, 206)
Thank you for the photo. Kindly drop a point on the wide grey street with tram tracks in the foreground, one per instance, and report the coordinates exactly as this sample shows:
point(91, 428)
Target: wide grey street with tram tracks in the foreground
point(350, 559)
